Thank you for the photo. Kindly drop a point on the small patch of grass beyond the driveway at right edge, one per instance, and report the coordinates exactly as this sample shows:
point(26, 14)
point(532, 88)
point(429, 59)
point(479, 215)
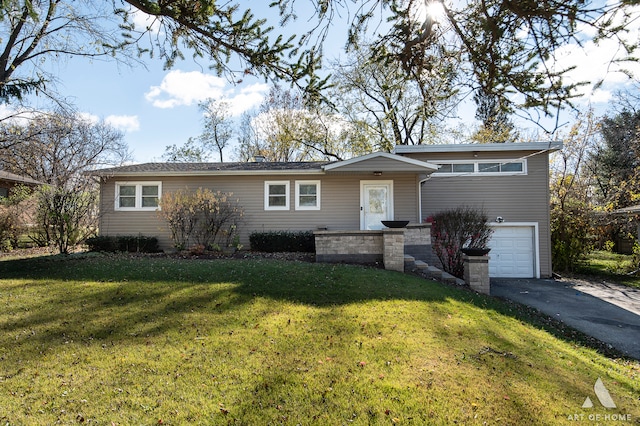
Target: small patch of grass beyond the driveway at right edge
point(612, 267)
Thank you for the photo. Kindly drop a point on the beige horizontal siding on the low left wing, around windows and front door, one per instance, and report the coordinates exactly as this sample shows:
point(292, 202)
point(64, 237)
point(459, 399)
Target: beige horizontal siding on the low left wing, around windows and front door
point(340, 203)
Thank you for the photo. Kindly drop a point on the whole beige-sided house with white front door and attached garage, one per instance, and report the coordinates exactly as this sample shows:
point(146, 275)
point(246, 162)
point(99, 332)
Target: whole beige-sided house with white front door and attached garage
point(507, 180)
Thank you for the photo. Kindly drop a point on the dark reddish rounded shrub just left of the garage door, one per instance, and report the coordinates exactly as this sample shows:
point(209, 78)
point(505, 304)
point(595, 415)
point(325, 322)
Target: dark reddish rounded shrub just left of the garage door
point(455, 229)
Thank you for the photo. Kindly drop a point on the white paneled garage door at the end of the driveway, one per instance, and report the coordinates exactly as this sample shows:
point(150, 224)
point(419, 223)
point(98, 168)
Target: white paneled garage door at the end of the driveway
point(512, 252)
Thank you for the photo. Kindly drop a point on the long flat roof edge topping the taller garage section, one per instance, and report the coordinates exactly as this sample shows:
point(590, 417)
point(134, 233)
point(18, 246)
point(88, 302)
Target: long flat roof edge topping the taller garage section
point(550, 146)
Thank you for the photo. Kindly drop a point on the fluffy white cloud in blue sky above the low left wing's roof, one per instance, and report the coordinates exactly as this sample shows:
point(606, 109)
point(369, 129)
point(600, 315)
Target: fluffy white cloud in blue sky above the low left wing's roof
point(179, 88)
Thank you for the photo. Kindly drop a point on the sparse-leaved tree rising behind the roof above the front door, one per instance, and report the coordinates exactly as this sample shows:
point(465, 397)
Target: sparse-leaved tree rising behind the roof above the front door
point(394, 107)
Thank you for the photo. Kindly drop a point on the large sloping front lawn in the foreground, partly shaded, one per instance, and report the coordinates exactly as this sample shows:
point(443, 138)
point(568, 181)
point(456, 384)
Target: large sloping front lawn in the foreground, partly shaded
point(121, 340)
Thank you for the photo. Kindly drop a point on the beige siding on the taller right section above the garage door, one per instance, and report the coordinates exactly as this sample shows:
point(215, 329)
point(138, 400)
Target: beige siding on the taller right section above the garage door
point(516, 198)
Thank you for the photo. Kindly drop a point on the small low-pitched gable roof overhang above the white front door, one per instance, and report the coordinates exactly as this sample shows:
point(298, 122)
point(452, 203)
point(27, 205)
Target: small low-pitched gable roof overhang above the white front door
point(381, 162)
